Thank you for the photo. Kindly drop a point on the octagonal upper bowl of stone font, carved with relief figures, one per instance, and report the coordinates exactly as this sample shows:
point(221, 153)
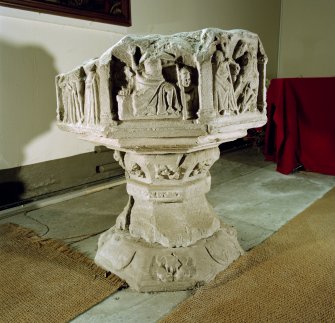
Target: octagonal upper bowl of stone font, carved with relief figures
point(201, 78)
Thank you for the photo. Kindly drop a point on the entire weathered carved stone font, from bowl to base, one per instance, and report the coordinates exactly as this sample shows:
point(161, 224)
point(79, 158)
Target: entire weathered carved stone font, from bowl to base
point(165, 103)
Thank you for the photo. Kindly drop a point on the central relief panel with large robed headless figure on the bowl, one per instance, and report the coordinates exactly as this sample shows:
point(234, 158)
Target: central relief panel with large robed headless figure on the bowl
point(155, 87)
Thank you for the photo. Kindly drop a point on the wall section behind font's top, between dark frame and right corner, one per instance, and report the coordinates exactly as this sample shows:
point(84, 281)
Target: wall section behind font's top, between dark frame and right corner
point(171, 16)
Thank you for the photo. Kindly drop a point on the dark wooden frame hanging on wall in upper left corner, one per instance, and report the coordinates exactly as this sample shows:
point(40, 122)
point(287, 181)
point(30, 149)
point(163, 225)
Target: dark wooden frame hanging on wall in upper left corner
point(116, 12)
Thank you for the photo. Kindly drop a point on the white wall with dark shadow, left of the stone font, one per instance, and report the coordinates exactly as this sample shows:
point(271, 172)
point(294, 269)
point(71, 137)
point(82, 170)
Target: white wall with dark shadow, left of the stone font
point(32, 53)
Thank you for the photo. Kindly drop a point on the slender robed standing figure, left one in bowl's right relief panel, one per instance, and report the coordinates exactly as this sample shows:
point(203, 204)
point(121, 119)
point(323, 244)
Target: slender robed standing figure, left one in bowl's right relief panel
point(224, 97)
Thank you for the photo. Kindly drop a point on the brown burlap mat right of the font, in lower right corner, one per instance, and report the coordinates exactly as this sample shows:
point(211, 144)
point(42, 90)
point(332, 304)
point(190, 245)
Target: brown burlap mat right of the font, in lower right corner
point(288, 278)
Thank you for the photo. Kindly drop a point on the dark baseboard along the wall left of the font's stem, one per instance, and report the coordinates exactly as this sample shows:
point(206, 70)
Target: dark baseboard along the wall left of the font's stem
point(27, 183)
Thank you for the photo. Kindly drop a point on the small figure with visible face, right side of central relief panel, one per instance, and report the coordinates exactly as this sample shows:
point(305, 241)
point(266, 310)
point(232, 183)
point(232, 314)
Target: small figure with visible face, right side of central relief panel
point(190, 95)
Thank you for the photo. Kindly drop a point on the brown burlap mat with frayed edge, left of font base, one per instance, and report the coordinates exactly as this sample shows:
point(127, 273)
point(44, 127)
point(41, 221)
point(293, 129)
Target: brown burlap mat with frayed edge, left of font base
point(46, 281)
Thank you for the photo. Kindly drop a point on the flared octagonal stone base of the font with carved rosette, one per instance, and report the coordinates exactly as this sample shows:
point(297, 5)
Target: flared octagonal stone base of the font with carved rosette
point(151, 267)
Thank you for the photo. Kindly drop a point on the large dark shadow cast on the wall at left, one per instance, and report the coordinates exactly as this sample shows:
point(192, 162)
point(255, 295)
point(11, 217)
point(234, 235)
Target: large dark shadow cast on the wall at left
point(27, 109)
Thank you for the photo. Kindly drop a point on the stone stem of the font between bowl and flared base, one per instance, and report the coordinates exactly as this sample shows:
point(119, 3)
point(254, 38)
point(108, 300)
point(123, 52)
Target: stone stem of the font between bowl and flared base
point(167, 198)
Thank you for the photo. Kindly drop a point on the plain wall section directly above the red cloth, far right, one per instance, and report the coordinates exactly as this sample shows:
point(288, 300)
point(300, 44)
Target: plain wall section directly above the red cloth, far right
point(307, 41)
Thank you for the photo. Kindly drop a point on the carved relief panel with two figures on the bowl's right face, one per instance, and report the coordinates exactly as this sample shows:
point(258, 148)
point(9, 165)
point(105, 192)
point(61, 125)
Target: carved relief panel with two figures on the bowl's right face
point(235, 75)
